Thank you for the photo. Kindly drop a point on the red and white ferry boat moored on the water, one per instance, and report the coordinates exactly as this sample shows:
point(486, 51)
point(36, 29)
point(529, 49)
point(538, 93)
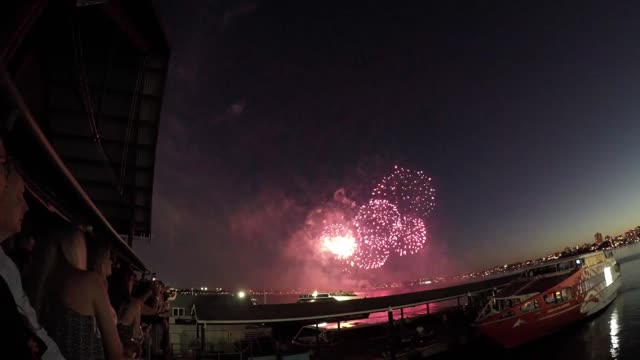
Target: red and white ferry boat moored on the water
point(549, 297)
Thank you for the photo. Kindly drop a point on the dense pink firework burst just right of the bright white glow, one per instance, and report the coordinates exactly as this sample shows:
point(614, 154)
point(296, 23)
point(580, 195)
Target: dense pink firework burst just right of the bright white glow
point(378, 226)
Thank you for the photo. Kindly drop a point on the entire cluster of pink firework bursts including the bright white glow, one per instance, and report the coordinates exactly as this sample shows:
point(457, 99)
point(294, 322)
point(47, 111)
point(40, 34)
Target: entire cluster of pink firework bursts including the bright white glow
point(393, 221)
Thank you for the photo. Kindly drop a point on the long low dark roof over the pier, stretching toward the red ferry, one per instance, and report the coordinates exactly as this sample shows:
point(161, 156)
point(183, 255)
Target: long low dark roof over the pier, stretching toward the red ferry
point(335, 310)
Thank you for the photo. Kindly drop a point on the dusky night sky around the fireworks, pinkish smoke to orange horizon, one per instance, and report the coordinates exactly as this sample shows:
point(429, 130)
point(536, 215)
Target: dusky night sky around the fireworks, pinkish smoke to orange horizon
point(527, 118)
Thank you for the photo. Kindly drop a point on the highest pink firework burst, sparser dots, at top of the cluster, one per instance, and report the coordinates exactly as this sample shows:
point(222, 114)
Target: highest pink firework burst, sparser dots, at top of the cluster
point(410, 191)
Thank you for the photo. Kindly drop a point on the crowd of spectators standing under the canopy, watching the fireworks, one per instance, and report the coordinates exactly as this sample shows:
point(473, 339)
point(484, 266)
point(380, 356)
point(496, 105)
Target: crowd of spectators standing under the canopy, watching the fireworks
point(61, 295)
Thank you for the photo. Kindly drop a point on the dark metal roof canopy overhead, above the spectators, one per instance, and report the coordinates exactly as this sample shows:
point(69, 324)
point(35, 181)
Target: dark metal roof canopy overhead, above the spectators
point(89, 80)
